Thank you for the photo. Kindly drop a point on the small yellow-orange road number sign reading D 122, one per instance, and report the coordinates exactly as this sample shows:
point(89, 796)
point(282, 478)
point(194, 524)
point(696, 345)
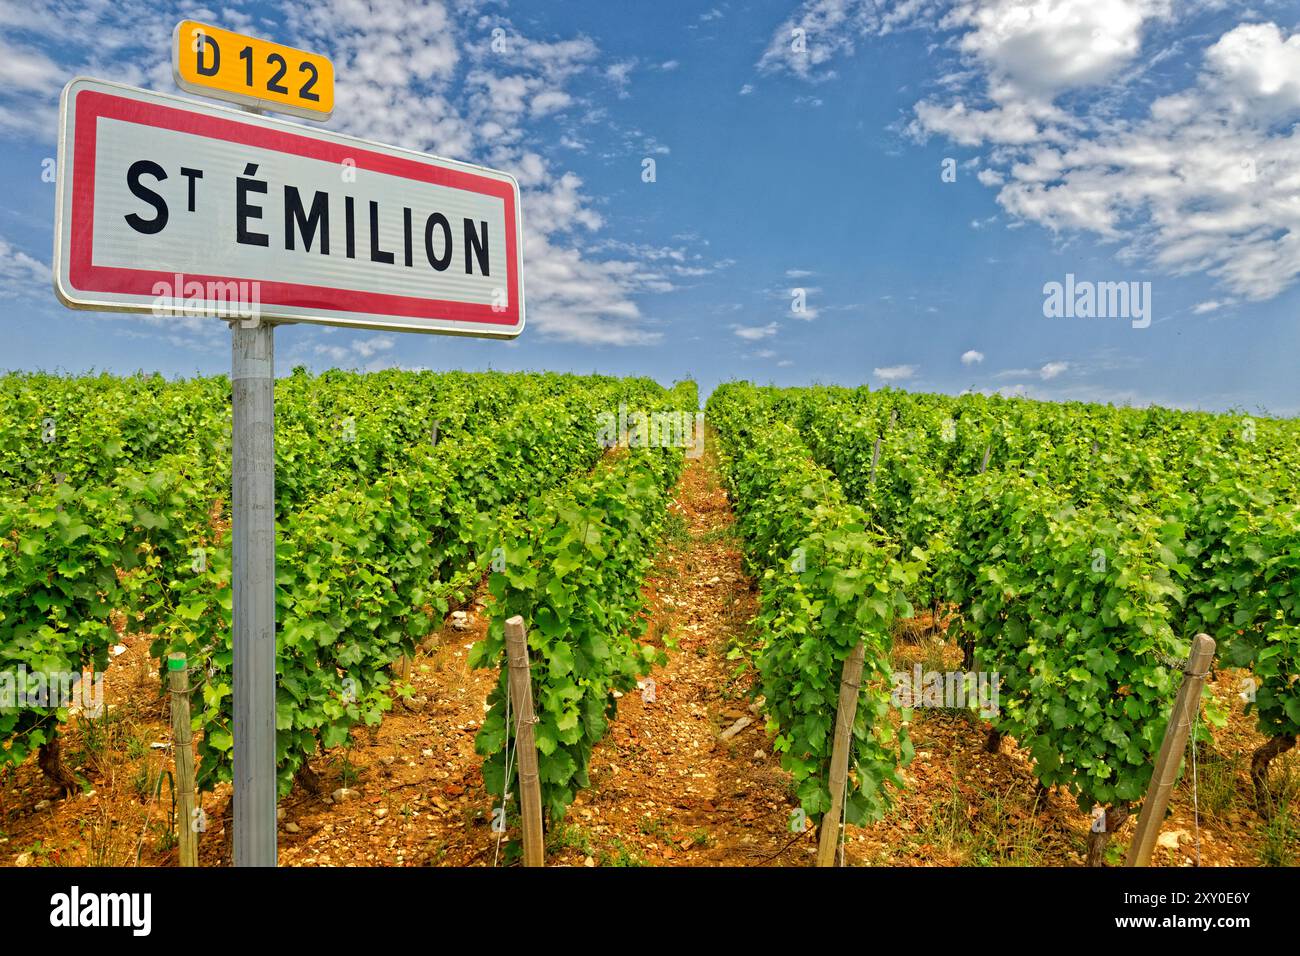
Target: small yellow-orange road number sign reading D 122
point(255, 73)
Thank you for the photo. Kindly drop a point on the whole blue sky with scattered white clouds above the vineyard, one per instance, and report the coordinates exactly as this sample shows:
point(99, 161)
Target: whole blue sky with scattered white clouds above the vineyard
point(796, 146)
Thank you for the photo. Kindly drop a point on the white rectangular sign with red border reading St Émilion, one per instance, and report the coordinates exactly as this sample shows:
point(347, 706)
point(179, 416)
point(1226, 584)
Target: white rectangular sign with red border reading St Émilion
point(168, 206)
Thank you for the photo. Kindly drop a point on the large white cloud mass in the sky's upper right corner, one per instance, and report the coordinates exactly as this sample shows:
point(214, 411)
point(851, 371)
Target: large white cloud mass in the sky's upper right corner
point(1199, 180)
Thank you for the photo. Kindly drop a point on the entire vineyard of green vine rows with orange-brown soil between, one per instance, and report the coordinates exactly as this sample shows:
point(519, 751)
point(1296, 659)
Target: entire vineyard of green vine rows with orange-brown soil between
point(688, 618)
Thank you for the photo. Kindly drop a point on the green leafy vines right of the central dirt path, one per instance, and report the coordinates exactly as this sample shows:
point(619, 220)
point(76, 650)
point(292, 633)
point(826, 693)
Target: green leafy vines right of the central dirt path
point(1078, 548)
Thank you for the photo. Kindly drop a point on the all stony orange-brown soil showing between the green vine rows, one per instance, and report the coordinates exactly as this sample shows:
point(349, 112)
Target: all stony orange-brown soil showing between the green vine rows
point(664, 791)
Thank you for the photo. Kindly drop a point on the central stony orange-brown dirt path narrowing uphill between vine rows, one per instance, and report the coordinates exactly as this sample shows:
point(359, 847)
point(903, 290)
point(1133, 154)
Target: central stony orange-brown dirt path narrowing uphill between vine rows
point(664, 790)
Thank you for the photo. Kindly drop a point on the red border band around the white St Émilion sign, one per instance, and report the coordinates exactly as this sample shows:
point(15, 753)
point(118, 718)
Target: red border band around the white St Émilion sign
point(90, 279)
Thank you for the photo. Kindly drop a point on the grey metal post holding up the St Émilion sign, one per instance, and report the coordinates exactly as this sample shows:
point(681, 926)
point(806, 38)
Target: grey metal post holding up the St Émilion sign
point(253, 513)
